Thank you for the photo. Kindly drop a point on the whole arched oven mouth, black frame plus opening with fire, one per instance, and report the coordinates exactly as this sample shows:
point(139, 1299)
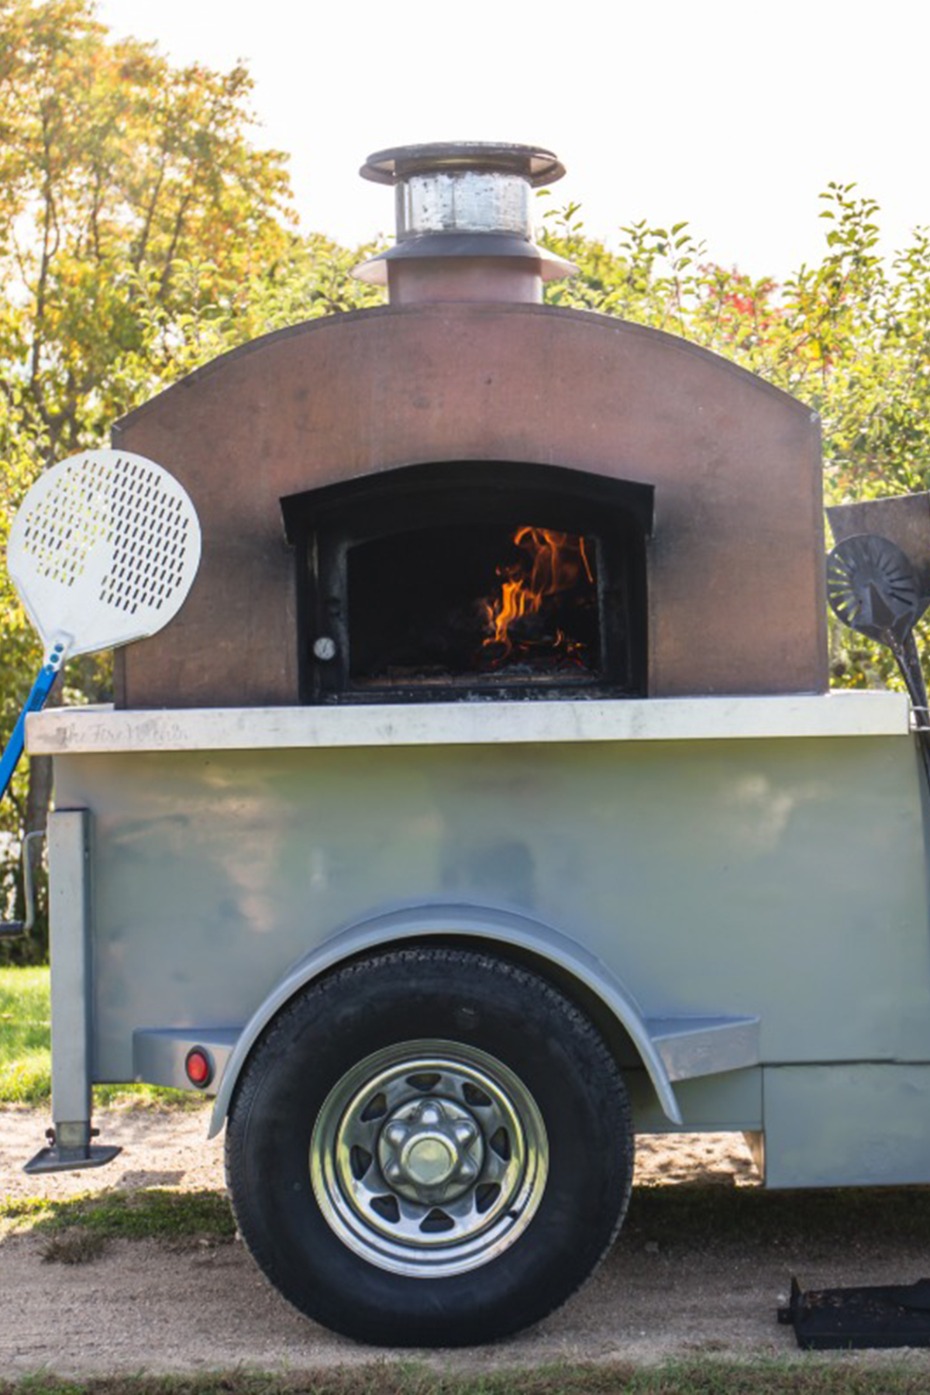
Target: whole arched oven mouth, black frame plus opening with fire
point(445, 582)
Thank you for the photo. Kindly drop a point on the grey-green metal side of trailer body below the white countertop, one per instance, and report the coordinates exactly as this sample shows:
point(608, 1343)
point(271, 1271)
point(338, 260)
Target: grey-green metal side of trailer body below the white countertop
point(759, 878)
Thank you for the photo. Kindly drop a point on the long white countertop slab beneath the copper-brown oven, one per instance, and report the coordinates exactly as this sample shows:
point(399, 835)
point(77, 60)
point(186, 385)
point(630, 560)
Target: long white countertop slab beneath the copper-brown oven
point(89, 730)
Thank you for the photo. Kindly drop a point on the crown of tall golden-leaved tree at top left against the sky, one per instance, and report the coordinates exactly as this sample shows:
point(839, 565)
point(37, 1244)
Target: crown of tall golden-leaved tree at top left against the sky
point(125, 185)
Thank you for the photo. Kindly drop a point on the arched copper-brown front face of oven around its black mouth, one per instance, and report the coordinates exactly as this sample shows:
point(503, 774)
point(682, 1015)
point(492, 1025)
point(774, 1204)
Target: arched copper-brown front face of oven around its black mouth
point(734, 573)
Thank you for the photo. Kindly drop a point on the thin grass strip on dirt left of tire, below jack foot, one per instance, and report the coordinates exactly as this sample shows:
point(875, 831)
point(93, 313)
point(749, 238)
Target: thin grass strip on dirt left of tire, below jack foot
point(151, 1213)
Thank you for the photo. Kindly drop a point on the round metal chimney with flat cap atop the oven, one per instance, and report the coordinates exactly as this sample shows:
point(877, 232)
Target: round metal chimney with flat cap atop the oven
point(465, 227)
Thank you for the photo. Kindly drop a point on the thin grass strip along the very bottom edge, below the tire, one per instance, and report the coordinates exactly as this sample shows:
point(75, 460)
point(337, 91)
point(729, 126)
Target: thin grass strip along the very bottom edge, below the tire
point(811, 1378)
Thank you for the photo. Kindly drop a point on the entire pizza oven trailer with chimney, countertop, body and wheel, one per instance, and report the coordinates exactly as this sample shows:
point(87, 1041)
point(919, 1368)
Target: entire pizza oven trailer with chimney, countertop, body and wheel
point(487, 804)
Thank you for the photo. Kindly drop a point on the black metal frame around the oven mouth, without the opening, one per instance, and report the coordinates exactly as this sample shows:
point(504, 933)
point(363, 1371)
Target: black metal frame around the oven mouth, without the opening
point(327, 524)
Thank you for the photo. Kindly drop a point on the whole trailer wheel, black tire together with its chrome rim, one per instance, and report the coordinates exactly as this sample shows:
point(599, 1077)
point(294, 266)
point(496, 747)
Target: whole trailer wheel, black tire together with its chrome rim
point(490, 1100)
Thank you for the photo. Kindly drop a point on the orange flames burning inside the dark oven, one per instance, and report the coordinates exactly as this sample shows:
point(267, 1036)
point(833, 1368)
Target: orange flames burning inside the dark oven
point(522, 619)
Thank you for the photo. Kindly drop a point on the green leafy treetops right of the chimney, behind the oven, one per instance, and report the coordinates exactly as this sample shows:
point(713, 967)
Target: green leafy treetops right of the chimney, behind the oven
point(850, 337)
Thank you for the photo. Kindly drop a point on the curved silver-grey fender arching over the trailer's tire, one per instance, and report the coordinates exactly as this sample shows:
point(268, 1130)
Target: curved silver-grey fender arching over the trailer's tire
point(468, 923)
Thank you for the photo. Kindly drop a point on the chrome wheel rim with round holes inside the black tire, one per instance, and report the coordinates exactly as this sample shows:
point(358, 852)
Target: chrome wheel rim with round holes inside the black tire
point(429, 1159)
